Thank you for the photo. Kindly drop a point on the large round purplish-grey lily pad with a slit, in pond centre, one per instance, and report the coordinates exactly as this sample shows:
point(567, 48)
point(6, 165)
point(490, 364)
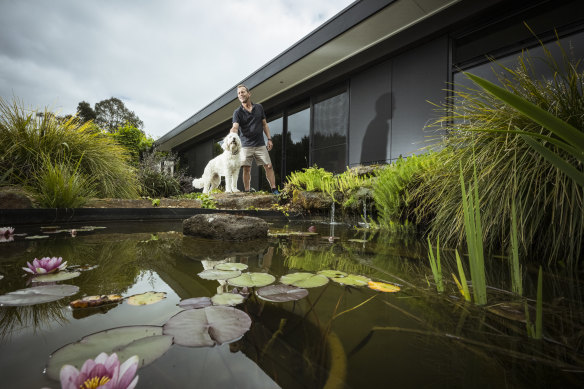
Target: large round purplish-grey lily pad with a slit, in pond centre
point(208, 326)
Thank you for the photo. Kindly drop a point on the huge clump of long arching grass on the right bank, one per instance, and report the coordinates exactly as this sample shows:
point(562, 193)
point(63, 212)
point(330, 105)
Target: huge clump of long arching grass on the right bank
point(549, 203)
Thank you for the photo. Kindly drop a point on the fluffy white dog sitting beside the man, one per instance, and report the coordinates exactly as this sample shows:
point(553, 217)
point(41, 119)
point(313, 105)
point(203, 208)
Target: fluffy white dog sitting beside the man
point(226, 164)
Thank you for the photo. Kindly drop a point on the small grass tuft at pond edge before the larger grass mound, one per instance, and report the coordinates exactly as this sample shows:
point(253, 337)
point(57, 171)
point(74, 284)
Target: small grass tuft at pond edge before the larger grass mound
point(61, 185)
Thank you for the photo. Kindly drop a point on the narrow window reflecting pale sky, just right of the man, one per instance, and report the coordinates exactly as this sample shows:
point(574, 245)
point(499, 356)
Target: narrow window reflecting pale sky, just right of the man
point(297, 139)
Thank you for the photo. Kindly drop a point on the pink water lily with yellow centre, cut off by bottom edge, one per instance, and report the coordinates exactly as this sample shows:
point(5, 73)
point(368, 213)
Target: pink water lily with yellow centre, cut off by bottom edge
point(103, 372)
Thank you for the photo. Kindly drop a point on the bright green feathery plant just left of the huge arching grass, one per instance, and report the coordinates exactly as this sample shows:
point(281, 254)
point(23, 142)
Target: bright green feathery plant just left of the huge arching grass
point(392, 188)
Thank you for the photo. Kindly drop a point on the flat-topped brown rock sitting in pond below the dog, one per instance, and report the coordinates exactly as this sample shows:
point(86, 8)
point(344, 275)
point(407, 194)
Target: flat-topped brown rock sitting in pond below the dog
point(225, 227)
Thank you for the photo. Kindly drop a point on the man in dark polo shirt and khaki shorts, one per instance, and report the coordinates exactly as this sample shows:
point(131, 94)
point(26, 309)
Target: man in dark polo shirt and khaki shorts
point(249, 120)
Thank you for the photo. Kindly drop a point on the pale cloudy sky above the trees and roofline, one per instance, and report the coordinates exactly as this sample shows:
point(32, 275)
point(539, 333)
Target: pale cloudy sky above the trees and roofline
point(165, 59)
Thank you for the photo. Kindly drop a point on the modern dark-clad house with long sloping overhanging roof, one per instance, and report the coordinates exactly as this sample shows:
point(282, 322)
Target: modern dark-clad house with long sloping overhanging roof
point(361, 88)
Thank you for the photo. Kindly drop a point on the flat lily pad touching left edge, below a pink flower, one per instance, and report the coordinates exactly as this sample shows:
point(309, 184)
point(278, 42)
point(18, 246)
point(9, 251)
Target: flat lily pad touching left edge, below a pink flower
point(37, 295)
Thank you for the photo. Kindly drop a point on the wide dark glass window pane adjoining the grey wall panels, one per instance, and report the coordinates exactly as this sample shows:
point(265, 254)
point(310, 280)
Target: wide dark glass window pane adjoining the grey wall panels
point(329, 150)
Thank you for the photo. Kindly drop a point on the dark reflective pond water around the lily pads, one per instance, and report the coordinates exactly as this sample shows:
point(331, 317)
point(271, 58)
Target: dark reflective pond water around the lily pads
point(336, 337)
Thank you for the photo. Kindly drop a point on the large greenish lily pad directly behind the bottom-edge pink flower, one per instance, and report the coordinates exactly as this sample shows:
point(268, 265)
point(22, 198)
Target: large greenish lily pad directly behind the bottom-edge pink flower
point(148, 342)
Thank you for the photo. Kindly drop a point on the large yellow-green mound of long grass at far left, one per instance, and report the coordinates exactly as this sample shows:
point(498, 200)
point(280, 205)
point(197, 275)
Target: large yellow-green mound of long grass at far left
point(31, 141)
